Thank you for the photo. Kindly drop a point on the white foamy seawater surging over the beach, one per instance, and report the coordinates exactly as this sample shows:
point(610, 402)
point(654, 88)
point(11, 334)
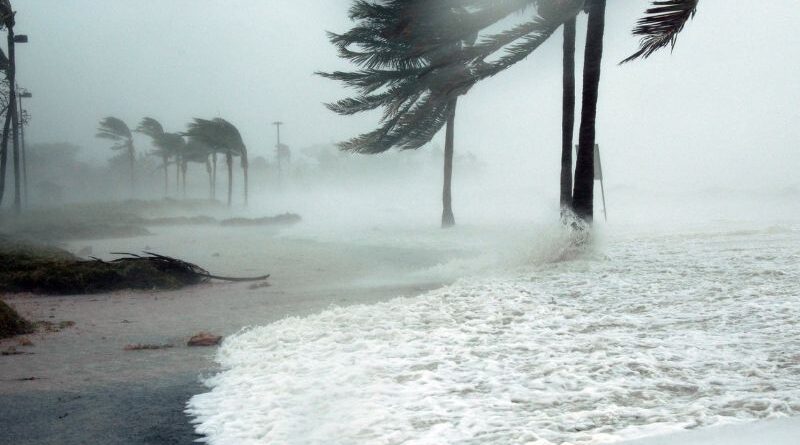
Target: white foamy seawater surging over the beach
point(650, 333)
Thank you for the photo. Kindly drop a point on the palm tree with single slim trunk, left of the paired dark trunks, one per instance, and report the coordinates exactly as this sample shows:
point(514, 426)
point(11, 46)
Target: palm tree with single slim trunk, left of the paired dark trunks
point(401, 72)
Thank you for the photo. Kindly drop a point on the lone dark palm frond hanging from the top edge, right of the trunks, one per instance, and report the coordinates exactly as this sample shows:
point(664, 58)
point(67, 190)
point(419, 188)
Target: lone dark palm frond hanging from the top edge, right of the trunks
point(661, 25)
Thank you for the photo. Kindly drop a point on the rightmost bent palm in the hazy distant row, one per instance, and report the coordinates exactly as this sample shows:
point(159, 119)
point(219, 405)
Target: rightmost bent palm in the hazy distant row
point(222, 137)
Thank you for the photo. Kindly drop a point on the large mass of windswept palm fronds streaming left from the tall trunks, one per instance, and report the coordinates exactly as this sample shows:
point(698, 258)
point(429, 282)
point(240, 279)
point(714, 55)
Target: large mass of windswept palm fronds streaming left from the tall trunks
point(416, 56)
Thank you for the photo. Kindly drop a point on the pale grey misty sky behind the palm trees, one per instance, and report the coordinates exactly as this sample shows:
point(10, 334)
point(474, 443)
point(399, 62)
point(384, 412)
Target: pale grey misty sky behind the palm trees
point(721, 111)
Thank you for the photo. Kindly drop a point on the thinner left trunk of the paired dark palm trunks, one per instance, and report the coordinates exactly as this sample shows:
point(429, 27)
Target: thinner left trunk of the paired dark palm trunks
point(568, 115)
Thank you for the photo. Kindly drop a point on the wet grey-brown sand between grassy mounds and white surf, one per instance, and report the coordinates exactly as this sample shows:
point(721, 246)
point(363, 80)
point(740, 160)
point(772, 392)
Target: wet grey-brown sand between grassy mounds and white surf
point(79, 385)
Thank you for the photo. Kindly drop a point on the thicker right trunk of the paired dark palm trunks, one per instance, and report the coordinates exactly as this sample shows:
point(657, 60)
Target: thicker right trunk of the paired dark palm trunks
point(583, 194)
